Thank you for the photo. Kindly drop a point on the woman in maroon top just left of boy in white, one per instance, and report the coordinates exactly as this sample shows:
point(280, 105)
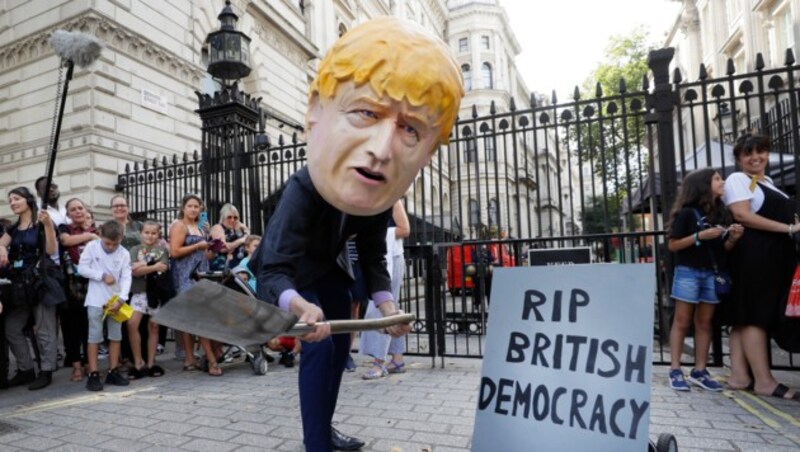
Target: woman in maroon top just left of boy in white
point(74, 324)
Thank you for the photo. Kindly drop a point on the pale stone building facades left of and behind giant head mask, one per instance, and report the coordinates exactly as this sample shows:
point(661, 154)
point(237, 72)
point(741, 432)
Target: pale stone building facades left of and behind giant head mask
point(138, 100)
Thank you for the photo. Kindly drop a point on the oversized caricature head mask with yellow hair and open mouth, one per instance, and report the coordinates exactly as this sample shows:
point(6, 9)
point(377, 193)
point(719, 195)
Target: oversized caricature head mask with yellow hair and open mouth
point(387, 94)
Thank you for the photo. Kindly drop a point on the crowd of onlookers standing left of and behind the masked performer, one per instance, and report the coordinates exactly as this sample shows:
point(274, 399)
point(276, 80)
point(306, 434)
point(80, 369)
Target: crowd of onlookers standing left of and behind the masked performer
point(124, 265)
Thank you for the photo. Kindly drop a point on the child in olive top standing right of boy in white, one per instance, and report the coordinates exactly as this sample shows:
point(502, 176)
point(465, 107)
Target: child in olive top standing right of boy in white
point(148, 260)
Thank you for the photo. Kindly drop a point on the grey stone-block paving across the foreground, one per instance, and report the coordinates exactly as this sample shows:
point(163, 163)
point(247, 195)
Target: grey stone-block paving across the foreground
point(426, 409)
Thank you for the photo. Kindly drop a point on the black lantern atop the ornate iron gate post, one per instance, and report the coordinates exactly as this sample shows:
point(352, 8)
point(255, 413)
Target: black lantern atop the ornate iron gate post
point(229, 49)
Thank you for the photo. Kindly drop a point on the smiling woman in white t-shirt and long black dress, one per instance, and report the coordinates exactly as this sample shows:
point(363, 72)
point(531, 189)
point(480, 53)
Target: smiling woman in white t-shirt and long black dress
point(761, 266)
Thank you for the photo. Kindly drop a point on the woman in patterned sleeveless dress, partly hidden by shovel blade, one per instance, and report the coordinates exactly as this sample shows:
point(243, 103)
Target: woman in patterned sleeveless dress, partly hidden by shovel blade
point(188, 248)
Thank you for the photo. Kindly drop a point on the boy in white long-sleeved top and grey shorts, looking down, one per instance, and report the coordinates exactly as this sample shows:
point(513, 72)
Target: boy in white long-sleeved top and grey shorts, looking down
point(107, 266)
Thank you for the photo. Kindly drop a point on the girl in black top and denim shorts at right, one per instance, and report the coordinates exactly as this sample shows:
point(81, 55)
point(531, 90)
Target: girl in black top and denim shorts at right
point(700, 232)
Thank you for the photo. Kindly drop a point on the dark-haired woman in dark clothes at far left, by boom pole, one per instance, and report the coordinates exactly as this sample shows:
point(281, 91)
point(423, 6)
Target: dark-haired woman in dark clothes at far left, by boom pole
point(19, 252)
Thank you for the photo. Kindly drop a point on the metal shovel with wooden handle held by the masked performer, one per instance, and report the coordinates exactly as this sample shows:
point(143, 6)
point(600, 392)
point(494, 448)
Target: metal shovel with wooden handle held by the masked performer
point(216, 312)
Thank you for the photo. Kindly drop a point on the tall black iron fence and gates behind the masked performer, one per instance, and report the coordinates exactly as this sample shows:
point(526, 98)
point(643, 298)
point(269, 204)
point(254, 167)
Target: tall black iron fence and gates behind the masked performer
point(596, 171)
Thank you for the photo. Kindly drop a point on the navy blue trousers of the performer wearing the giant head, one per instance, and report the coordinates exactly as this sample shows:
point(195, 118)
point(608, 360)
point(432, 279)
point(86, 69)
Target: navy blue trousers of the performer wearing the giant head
point(323, 362)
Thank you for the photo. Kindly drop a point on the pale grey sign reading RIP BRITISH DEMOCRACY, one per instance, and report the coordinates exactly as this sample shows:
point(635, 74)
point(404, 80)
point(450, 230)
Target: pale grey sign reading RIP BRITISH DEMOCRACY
point(567, 364)
